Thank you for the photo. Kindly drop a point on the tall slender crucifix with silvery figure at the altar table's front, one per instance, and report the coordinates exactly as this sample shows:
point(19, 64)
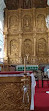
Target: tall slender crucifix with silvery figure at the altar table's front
point(25, 88)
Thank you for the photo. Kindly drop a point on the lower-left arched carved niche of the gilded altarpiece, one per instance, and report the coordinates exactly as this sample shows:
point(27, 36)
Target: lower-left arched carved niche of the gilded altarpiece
point(14, 51)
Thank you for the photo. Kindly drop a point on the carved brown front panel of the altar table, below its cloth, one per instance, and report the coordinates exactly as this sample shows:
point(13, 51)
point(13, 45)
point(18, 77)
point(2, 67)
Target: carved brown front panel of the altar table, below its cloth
point(11, 95)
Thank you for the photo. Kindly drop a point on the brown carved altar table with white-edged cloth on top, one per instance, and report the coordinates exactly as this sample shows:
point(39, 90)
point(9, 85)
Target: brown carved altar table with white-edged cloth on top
point(15, 92)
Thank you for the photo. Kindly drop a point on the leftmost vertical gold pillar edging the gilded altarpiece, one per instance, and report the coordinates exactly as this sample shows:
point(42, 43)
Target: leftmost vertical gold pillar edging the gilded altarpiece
point(5, 36)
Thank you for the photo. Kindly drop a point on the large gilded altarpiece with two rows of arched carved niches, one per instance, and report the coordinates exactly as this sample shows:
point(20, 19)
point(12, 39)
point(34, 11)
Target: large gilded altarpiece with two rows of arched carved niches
point(26, 36)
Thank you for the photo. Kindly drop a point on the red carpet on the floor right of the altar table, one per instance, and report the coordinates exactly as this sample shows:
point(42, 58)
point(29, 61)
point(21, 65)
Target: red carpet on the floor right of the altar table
point(41, 98)
